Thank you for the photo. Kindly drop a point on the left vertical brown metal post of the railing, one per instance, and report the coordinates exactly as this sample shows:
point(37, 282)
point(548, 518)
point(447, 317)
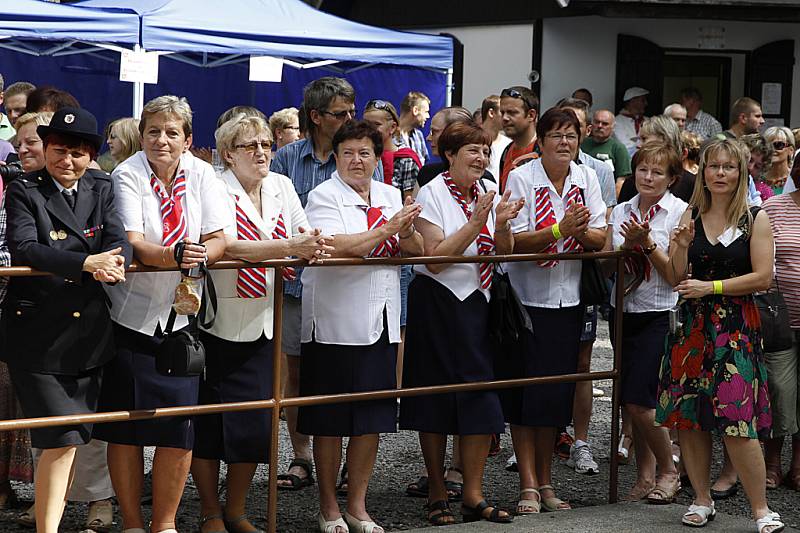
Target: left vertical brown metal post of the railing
point(277, 395)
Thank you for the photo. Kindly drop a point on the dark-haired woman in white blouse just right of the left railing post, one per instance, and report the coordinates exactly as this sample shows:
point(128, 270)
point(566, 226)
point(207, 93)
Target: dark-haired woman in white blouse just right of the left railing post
point(351, 321)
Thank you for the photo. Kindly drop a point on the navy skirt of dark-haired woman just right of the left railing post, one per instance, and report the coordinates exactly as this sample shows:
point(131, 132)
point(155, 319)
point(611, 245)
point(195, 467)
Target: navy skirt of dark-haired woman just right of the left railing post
point(338, 369)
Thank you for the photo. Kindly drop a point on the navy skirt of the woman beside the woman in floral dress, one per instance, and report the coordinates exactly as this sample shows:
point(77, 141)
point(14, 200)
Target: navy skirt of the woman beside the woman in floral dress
point(643, 342)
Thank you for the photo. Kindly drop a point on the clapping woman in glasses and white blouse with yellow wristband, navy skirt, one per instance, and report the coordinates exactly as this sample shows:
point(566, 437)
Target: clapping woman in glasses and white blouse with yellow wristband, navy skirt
point(563, 212)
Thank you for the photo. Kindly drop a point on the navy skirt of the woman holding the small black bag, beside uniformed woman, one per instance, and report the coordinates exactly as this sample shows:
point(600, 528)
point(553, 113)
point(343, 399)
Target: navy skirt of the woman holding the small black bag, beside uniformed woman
point(130, 381)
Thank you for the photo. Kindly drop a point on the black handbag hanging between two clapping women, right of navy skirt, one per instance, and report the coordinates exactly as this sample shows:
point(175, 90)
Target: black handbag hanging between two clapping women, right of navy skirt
point(507, 316)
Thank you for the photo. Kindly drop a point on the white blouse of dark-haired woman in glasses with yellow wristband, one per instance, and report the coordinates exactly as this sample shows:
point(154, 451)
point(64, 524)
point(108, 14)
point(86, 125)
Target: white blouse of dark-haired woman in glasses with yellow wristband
point(558, 286)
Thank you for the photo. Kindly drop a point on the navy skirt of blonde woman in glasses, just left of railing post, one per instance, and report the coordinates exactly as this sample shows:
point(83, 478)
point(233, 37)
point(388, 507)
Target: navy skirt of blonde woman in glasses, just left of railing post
point(235, 372)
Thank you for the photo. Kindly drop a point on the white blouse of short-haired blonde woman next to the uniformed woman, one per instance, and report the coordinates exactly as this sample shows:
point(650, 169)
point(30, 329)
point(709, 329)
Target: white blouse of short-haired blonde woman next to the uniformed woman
point(144, 300)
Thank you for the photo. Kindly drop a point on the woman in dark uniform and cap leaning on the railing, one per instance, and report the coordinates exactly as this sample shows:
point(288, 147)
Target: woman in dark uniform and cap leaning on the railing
point(58, 333)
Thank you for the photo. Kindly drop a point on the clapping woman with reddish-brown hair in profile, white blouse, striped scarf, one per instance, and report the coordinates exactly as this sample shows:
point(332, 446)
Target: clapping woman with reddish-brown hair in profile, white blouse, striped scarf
point(448, 315)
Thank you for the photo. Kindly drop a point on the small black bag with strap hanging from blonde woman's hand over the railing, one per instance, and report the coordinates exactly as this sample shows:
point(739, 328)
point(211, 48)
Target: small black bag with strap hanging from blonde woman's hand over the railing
point(181, 354)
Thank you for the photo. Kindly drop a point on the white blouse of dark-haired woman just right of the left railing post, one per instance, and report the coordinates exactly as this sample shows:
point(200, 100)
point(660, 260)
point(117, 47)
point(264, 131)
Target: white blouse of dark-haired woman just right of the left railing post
point(345, 305)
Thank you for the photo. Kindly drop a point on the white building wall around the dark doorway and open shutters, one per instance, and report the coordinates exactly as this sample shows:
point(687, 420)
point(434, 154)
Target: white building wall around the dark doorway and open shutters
point(582, 51)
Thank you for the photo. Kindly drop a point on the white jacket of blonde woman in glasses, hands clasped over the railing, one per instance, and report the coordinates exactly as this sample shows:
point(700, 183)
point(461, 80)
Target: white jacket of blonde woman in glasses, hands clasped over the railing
point(245, 319)
